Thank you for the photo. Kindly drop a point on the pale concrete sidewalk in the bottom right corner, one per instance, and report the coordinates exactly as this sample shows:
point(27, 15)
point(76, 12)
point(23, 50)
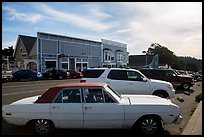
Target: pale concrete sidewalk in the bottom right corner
point(194, 125)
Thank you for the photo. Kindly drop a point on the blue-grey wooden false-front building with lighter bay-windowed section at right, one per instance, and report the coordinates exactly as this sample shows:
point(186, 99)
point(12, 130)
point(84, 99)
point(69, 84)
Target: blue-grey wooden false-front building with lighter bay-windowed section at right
point(68, 53)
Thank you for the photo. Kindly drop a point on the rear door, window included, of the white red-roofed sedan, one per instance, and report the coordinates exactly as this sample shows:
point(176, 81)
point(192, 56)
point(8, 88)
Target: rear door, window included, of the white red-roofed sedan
point(66, 110)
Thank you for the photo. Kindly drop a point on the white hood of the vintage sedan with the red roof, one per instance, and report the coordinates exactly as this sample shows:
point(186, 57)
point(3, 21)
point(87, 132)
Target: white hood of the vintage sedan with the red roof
point(147, 100)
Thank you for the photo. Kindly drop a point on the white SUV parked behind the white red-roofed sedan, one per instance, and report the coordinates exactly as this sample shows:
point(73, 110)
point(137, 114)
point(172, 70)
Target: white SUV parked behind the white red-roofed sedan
point(129, 81)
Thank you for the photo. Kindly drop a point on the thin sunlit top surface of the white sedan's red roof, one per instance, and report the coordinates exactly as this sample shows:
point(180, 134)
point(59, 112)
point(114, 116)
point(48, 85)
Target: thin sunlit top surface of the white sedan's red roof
point(87, 84)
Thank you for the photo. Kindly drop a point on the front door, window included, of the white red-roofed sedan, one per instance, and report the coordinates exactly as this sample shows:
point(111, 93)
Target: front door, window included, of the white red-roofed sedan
point(101, 111)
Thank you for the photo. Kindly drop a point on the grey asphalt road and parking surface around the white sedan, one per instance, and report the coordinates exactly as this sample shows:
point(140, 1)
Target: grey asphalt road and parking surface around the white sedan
point(13, 91)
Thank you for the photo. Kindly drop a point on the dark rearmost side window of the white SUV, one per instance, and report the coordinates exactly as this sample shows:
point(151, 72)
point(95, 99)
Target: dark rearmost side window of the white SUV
point(93, 73)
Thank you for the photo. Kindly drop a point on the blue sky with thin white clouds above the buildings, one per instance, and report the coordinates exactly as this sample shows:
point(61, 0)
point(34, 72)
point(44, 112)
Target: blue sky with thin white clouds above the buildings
point(174, 25)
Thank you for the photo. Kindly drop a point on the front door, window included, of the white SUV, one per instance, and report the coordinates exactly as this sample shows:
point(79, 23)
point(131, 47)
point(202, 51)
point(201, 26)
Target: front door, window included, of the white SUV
point(136, 84)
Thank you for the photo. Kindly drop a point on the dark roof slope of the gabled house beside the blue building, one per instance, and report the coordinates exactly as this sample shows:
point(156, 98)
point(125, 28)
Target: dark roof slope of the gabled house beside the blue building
point(28, 42)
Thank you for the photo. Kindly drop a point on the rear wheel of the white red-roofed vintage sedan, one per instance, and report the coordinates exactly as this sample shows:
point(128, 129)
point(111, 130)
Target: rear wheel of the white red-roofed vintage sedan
point(43, 127)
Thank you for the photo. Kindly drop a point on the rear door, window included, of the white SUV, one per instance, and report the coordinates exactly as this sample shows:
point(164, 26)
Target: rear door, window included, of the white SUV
point(116, 79)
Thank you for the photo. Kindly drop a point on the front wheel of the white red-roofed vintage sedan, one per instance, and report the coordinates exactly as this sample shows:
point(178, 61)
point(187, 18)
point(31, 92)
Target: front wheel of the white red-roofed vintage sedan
point(150, 125)
